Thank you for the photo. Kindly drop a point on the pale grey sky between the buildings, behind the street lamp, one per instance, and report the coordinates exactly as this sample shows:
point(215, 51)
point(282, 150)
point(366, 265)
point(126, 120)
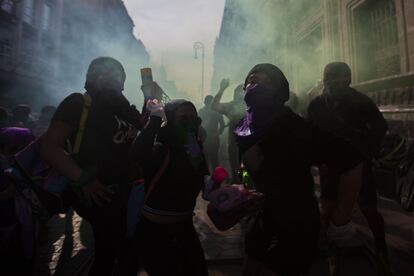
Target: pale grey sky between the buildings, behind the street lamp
point(169, 28)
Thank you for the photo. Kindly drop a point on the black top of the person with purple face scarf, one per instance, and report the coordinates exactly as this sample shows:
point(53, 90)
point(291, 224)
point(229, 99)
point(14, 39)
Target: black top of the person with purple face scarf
point(280, 166)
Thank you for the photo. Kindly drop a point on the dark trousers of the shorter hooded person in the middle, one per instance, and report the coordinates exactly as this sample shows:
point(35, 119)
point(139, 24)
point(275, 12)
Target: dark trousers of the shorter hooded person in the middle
point(171, 249)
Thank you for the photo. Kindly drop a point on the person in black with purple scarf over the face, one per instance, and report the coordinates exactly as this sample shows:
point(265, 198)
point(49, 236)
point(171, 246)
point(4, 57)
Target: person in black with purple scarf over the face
point(278, 148)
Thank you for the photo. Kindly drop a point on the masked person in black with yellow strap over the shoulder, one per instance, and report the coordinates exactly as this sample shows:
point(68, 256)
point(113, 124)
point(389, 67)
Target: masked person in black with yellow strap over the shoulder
point(100, 173)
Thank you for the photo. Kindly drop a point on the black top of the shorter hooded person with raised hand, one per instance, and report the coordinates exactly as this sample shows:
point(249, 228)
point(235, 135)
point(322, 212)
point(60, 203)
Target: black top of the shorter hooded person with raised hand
point(180, 183)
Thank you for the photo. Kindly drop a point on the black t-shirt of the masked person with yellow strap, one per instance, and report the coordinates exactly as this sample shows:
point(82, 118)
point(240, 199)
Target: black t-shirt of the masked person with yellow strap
point(107, 137)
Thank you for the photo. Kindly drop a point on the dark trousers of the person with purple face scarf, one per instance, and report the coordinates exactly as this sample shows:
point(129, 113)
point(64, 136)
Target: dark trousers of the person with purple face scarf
point(286, 247)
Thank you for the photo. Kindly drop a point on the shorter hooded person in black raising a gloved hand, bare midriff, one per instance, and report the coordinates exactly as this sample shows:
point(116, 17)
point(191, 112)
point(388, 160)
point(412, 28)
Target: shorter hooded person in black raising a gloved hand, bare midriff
point(166, 233)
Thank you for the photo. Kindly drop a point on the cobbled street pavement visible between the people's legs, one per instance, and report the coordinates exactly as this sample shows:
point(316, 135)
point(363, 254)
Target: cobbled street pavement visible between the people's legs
point(66, 242)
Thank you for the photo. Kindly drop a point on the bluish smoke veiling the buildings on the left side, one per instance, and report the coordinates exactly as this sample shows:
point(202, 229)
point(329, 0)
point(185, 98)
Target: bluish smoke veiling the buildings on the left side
point(53, 64)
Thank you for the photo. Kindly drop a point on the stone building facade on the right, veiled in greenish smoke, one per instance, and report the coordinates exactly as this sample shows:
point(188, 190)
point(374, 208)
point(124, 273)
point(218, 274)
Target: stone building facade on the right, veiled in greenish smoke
point(375, 37)
